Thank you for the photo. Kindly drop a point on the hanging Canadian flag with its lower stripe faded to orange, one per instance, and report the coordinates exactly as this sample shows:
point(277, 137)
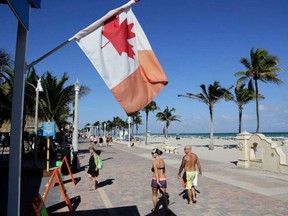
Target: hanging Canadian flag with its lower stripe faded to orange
point(119, 50)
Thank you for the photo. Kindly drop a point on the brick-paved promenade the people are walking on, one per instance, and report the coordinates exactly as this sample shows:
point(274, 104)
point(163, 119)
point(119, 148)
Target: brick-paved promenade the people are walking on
point(224, 189)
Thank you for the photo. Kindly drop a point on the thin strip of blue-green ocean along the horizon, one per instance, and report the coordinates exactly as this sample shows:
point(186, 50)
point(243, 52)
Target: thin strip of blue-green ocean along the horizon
point(273, 135)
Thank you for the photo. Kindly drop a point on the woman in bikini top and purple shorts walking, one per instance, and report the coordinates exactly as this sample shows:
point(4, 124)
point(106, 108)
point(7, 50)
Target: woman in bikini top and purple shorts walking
point(159, 181)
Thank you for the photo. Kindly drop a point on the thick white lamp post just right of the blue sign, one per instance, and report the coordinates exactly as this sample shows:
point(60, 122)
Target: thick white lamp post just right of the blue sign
point(75, 130)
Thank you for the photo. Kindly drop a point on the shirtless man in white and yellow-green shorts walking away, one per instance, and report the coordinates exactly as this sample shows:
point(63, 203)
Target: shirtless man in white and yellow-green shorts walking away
point(189, 163)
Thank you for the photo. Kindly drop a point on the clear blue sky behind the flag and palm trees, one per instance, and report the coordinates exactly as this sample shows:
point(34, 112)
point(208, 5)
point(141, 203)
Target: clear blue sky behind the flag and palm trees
point(195, 41)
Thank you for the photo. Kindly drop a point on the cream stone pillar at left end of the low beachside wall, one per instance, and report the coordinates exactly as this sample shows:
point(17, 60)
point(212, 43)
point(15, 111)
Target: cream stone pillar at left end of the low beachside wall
point(243, 149)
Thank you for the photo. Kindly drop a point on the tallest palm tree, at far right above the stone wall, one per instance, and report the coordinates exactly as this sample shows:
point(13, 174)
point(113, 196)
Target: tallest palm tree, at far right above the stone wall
point(262, 67)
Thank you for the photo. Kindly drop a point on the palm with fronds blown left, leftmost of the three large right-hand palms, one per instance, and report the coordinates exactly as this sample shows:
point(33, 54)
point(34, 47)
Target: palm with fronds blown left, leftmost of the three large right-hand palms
point(210, 97)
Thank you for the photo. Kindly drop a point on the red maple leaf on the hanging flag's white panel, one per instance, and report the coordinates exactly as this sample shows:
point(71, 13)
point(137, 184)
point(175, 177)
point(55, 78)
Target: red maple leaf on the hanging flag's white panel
point(118, 35)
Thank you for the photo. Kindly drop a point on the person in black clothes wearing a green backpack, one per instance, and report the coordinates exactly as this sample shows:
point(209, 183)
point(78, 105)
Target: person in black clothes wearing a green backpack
point(93, 171)
